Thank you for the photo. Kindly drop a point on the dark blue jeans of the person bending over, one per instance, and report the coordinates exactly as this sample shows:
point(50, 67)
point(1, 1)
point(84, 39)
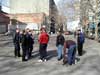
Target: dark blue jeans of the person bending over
point(71, 54)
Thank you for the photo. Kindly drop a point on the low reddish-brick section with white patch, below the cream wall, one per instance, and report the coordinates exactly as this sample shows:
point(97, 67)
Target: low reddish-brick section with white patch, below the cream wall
point(23, 20)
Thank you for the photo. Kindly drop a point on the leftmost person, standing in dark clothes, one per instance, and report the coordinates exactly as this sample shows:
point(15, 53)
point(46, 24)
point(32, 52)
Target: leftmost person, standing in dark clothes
point(16, 41)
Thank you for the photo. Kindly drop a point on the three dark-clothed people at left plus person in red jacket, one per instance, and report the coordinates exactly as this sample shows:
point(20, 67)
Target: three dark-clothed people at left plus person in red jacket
point(25, 40)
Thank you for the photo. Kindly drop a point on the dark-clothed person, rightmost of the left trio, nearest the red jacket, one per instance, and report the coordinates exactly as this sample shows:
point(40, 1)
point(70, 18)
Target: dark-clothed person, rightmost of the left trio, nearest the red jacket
point(31, 42)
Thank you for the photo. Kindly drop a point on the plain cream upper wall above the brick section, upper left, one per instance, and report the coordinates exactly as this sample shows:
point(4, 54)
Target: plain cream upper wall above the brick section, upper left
point(31, 6)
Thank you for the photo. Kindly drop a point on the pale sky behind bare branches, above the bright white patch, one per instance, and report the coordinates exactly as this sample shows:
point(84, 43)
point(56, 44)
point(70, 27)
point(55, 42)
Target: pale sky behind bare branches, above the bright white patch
point(63, 10)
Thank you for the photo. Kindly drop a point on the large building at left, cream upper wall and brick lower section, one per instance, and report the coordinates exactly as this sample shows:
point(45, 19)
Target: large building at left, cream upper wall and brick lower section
point(29, 12)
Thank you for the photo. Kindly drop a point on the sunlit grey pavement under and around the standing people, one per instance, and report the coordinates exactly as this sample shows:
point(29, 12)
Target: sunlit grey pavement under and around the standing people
point(89, 63)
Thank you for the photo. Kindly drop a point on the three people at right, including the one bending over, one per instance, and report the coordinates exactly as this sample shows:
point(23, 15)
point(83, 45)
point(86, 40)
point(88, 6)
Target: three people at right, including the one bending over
point(67, 48)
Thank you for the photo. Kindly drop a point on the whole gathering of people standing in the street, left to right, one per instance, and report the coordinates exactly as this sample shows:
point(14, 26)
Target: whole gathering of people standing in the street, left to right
point(66, 49)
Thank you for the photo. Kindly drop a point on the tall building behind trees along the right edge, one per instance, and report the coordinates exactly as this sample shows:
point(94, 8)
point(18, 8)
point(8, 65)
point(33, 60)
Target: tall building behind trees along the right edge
point(90, 17)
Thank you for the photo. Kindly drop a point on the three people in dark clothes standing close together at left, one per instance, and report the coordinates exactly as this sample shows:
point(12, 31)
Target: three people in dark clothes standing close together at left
point(23, 40)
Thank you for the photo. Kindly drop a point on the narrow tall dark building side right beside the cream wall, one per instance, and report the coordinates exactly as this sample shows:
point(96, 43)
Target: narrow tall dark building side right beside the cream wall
point(53, 16)
